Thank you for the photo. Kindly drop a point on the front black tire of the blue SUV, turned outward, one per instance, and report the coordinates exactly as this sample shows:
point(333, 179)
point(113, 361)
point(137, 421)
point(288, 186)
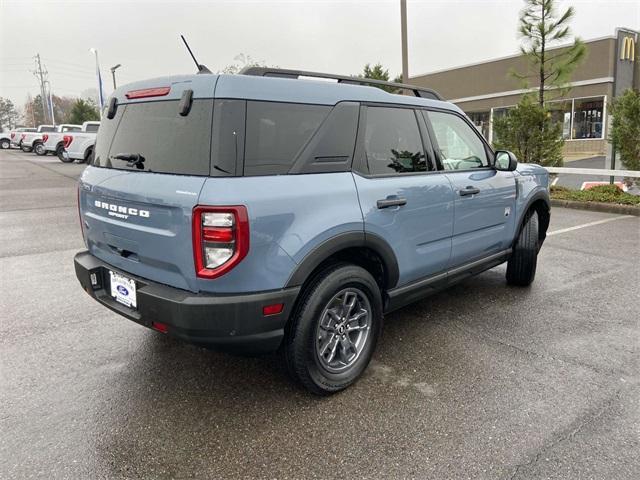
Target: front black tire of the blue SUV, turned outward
point(521, 268)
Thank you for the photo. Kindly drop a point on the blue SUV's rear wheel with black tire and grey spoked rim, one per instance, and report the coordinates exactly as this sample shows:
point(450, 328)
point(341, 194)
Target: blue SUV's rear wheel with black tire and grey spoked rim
point(303, 344)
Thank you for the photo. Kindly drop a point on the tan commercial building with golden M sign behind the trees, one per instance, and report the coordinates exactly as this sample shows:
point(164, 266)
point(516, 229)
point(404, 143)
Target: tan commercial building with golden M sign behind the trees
point(487, 90)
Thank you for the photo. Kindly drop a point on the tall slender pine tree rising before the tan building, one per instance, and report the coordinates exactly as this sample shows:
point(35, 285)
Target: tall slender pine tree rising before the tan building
point(540, 28)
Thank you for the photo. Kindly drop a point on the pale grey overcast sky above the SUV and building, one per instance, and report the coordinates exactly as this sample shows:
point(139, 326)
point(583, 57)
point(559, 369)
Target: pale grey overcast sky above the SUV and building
point(331, 36)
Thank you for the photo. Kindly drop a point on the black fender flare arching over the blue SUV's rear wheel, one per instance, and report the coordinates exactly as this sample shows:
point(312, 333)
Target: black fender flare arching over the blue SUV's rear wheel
point(343, 241)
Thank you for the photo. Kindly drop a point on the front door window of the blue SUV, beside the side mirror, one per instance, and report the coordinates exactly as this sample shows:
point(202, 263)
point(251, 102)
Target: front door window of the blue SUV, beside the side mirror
point(459, 146)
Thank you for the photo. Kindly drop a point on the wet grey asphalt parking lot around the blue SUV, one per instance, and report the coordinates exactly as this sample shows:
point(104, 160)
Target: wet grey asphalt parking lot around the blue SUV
point(481, 381)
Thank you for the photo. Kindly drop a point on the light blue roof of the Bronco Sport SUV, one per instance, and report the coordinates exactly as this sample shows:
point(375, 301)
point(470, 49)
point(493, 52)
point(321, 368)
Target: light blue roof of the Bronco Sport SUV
point(251, 87)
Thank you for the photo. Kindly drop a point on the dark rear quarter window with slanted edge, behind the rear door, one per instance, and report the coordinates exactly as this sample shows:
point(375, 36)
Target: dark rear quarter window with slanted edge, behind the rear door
point(276, 132)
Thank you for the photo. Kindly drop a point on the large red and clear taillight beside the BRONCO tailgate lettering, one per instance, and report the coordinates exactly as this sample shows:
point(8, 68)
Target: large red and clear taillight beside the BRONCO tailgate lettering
point(220, 239)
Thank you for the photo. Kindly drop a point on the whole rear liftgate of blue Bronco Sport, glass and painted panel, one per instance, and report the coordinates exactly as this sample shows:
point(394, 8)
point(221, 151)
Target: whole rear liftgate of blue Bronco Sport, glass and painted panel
point(137, 197)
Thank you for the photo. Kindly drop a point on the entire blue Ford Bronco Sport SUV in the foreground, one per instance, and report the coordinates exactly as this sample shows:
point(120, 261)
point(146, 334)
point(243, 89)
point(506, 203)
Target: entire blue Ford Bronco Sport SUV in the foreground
point(254, 212)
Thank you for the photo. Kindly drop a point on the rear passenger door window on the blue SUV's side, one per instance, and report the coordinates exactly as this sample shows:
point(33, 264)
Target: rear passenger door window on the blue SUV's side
point(392, 141)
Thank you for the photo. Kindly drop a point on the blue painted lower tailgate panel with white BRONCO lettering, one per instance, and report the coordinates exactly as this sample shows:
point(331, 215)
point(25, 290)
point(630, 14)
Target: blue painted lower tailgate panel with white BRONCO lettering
point(141, 222)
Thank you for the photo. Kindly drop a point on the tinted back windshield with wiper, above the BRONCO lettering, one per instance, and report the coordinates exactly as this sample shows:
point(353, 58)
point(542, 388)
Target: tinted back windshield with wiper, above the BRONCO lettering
point(168, 142)
